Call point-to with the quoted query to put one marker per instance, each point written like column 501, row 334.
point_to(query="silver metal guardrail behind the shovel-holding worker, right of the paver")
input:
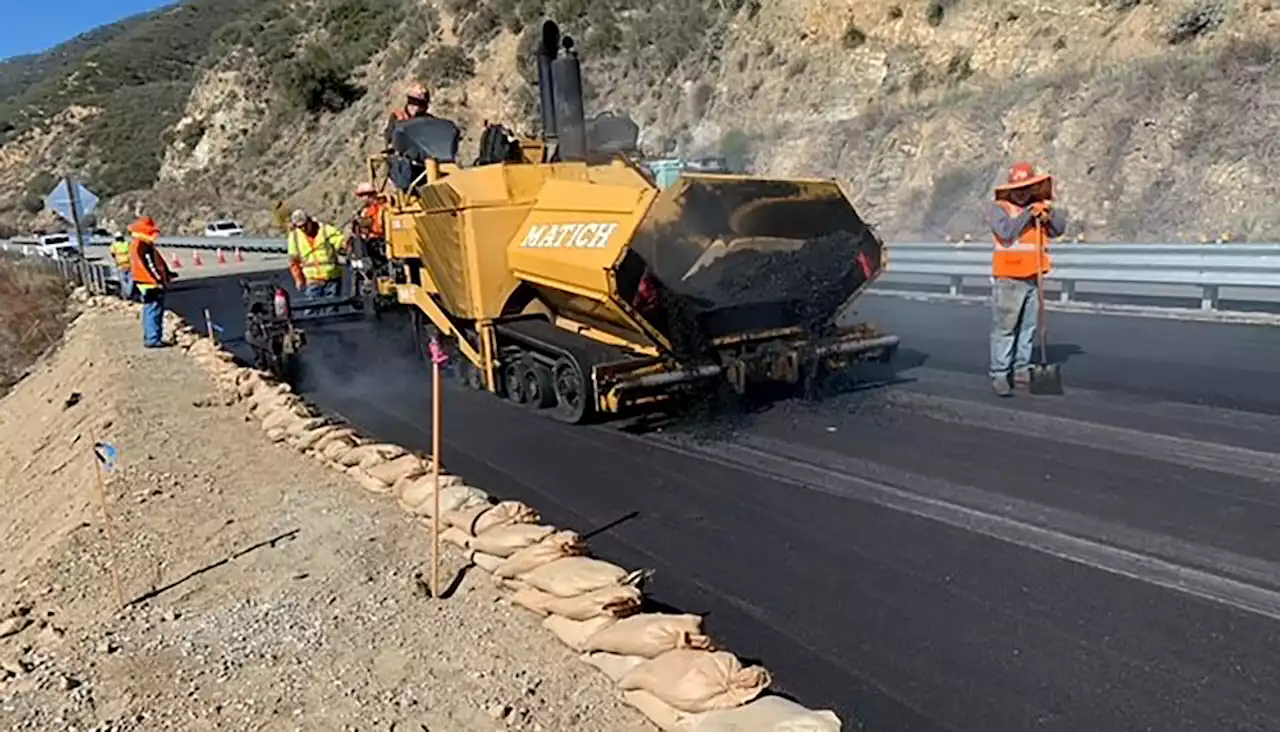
column 1210, row 268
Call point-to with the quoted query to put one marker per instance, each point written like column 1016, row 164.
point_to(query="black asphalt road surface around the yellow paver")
column 913, row 552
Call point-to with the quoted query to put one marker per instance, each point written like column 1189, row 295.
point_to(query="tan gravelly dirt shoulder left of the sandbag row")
column 266, row 593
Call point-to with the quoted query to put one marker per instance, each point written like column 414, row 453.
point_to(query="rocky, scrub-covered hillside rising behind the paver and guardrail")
column 1155, row 115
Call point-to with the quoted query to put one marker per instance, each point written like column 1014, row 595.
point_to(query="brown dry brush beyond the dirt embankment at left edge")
column 33, row 306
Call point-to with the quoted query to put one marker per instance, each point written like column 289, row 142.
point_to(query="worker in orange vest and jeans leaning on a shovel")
column 1023, row 219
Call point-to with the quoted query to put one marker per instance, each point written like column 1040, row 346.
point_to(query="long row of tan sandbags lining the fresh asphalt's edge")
column 665, row 666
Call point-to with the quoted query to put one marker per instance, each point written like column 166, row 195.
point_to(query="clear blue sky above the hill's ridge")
column 33, row 26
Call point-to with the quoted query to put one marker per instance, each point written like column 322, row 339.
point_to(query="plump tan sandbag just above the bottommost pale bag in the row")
column 698, row 680
